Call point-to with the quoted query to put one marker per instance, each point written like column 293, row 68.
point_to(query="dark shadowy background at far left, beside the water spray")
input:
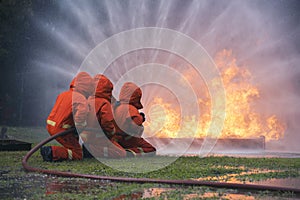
column 22, row 88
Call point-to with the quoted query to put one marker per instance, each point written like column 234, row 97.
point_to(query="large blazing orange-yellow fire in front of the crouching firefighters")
column 241, row 121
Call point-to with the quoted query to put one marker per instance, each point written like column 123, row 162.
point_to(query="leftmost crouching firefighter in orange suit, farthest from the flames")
column 70, row 110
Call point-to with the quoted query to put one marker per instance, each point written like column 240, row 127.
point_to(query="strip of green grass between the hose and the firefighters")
column 182, row 168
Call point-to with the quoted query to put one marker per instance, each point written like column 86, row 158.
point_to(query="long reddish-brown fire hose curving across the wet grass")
column 145, row 180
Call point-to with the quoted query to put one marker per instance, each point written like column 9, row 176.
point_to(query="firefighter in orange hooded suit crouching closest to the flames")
column 129, row 121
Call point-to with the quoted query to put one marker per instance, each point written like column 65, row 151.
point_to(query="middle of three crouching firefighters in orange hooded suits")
column 100, row 122
